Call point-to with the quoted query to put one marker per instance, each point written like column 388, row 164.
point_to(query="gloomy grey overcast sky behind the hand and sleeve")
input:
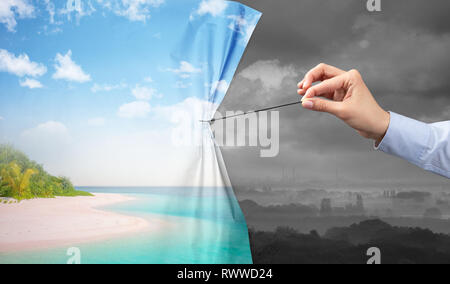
column 402, row 53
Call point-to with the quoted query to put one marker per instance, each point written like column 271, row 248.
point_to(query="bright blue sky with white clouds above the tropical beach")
column 92, row 88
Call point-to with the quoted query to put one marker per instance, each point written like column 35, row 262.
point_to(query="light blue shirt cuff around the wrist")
column 406, row 138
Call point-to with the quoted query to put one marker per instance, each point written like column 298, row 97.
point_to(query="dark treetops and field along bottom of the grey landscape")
column 349, row 245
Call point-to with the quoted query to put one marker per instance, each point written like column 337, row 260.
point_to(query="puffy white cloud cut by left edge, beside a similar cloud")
column 20, row 65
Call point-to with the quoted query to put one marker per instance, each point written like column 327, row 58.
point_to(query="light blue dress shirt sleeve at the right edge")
column 424, row 145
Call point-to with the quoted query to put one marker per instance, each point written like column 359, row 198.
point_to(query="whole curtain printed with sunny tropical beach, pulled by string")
column 101, row 148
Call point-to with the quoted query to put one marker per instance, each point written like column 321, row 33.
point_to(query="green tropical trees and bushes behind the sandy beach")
column 21, row 178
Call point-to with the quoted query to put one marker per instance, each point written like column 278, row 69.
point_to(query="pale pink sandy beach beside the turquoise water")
column 43, row 223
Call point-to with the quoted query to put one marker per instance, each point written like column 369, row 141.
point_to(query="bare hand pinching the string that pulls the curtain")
column 345, row 95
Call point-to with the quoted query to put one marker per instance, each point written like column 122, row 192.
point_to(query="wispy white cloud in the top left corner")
column 10, row 9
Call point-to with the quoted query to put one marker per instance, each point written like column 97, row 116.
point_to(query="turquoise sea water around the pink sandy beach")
column 206, row 225
